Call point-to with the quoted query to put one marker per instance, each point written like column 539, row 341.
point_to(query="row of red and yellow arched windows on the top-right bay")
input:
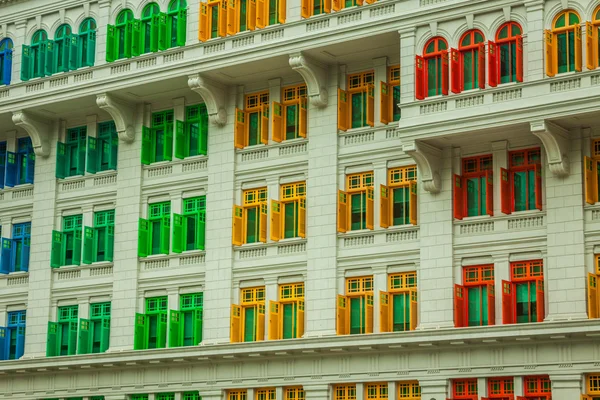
column 440, row 69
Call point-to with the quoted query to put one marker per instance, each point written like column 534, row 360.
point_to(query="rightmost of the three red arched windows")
column 505, row 56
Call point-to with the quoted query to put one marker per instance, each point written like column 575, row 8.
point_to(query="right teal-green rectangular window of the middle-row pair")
column 98, row 242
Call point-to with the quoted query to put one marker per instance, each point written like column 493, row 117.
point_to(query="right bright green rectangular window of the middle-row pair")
column 189, row 228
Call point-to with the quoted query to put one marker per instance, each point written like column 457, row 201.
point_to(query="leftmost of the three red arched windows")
column 431, row 70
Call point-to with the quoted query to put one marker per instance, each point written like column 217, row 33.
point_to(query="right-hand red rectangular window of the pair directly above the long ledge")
column 523, row 297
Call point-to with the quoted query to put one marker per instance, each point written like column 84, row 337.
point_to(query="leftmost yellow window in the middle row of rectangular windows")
column 250, row 220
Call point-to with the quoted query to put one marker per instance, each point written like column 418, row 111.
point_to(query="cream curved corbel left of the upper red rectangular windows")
column 428, row 159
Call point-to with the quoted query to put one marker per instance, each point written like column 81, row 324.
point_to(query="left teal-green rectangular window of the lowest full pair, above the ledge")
column 62, row 335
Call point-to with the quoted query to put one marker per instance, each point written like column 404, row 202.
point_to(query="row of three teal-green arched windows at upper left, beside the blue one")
column 68, row 51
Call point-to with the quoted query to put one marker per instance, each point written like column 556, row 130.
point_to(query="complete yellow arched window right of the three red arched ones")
column 563, row 44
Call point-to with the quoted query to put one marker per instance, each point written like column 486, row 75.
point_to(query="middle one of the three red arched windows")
column 470, row 73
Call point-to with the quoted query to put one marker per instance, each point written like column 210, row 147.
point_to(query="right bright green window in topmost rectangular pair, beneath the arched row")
column 191, row 136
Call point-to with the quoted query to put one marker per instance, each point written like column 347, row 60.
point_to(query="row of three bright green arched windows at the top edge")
column 154, row 31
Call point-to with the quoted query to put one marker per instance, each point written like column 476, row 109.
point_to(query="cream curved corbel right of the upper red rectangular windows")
column 556, row 142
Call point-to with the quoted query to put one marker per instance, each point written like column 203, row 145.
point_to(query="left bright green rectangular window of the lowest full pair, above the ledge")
column 151, row 327
